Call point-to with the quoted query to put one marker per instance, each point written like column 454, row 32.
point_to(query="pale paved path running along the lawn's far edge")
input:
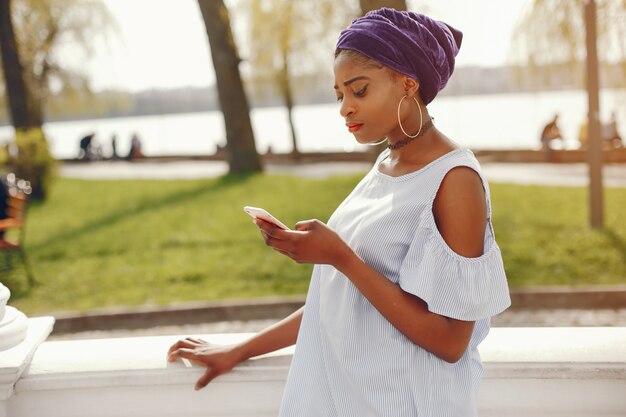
column 519, row 173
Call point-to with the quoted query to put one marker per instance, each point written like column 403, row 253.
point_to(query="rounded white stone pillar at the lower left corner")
column 19, row 338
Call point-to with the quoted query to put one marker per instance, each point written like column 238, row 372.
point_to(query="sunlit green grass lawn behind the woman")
column 108, row 243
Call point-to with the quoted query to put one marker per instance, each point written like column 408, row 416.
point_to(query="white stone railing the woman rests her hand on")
column 539, row 372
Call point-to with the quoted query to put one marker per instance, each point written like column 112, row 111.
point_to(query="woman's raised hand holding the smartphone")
column 311, row 242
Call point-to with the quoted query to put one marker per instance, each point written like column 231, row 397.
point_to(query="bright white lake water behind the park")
column 504, row 121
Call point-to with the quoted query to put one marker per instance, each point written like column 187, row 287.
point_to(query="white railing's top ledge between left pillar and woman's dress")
column 136, row 362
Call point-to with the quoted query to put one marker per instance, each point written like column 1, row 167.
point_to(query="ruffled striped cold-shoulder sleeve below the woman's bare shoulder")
column 452, row 285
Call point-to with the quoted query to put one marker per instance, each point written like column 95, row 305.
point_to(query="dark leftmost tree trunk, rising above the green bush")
column 23, row 109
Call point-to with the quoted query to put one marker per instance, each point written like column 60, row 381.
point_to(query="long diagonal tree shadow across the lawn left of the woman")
column 146, row 206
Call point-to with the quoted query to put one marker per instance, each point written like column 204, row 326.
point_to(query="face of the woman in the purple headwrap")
column 369, row 98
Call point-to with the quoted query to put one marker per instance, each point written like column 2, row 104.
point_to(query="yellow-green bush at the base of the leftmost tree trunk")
column 31, row 160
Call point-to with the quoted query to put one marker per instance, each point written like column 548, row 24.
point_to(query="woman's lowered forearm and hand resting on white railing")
column 221, row 359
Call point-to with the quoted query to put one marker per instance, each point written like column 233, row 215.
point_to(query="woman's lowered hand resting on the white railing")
column 217, row 359
